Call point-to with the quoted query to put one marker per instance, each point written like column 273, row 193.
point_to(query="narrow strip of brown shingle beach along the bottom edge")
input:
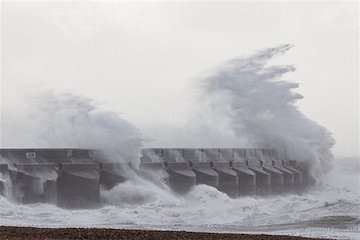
column 28, row 233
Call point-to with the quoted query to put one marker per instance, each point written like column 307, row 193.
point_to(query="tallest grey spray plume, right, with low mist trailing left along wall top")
column 246, row 102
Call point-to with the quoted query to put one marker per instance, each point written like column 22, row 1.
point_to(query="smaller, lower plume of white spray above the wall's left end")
column 69, row 121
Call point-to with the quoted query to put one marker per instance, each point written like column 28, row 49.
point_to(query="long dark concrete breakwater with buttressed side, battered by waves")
column 72, row 178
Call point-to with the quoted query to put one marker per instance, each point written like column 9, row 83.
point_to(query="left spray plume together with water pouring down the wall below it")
column 70, row 121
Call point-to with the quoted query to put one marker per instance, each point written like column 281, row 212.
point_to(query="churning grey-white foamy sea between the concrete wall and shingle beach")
column 329, row 209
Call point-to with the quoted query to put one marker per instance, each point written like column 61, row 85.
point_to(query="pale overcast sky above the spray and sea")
column 144, row 59
